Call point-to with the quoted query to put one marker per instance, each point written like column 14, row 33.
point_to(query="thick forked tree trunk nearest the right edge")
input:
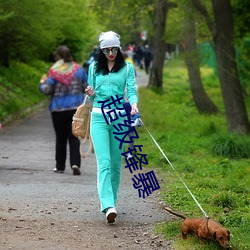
column 223, row 38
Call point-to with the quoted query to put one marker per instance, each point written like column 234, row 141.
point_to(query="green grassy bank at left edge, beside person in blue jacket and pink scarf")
column 19, row 88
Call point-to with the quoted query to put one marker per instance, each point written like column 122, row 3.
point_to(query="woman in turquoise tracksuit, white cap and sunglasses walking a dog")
column 108, row 76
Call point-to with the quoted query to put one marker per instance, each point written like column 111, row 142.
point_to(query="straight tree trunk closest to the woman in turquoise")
column 159, row 47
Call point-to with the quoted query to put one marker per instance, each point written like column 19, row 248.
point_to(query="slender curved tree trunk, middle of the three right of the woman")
column 201, row 99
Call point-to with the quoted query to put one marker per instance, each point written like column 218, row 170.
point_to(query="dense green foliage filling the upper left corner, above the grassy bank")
column 29, row 33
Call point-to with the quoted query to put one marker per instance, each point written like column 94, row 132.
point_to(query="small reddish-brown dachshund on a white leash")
column 204, row 229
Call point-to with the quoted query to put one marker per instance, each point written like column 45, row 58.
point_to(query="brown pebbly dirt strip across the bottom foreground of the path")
column 51, row 234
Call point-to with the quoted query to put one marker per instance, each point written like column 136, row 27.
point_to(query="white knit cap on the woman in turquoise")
column 109, row 39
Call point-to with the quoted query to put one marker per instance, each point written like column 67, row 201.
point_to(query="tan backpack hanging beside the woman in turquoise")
column 81, row 126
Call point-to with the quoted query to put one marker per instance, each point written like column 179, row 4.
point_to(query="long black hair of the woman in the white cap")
column 102, row 66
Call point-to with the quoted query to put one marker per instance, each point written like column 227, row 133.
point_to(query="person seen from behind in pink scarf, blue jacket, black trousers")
column 65, row 84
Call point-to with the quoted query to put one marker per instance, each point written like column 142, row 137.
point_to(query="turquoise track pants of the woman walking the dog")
column 109, row 159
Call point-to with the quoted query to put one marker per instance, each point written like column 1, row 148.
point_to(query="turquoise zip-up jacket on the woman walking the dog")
column 112, row 84
